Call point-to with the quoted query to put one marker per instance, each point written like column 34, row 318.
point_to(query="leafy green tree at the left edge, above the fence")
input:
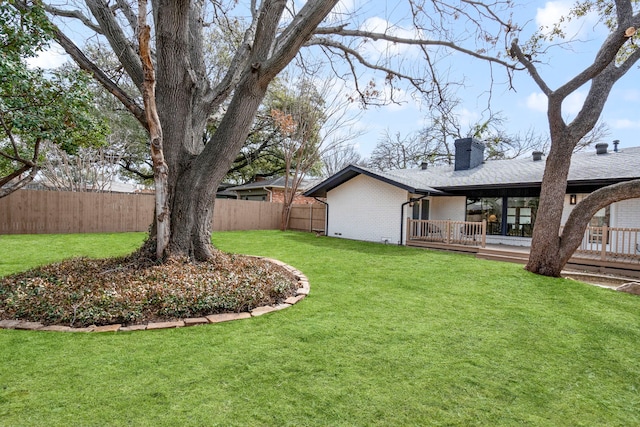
column 36, row 108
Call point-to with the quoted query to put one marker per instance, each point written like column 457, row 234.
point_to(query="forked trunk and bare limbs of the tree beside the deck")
column 549, row 250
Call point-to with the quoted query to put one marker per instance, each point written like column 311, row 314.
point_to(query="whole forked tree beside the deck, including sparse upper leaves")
column 618, row 54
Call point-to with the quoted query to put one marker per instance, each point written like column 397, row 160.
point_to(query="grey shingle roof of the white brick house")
column 587, row 168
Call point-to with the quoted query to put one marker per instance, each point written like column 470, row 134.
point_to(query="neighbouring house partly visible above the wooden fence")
column 271, row 190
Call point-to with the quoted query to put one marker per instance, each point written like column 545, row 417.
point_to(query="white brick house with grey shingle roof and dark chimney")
column 364, row 204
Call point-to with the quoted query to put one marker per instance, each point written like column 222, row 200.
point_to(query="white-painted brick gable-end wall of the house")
column 366, row 209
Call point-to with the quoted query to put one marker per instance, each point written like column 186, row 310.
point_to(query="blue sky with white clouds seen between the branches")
column 523, row 107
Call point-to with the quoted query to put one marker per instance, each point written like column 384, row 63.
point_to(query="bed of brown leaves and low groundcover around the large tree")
column 82, row 292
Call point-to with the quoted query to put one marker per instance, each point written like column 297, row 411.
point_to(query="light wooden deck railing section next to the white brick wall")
column 448, row 232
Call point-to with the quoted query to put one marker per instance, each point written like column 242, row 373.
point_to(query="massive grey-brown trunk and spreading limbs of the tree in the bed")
column 185, row 99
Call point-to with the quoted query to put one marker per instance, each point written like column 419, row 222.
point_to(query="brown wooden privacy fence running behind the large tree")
column 48, row 212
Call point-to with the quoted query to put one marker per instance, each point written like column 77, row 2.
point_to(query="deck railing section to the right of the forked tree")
column 611, row 242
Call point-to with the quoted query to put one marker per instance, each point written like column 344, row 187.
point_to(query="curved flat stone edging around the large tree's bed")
column 302, row 291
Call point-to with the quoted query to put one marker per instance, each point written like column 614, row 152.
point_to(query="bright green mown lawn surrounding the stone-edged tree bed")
column 388, row 336
